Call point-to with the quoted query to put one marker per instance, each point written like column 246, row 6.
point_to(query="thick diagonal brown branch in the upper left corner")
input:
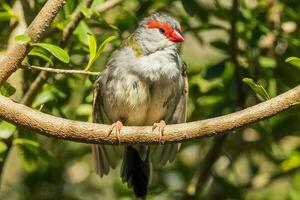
column 17, row 53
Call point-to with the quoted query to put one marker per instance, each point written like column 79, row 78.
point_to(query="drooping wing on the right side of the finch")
column 167, row 152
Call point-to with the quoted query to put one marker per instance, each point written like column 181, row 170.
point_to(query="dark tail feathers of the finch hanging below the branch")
column 135, row 171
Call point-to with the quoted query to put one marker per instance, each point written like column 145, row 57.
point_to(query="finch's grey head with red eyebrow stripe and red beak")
column 157, row 32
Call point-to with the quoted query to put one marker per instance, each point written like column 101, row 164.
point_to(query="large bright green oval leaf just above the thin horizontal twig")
column 58, row 52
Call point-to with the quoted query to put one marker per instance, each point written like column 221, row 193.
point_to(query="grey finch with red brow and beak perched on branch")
column 144, row 84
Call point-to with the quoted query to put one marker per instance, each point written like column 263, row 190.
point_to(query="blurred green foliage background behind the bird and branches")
column 226, row 41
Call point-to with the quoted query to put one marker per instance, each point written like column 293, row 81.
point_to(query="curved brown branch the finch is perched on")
column 51, row 126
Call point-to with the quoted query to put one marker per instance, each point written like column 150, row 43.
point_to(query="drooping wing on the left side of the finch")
column 105, row 156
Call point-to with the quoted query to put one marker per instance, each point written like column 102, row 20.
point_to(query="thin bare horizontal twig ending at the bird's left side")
column 61, row 71
